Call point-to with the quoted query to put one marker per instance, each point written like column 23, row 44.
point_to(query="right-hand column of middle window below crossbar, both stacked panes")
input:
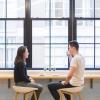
column 59, row 41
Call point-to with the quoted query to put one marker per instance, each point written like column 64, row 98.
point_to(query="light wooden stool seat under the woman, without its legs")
column 21, row 89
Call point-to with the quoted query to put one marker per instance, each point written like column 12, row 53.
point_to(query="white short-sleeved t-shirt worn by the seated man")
column 78, row 77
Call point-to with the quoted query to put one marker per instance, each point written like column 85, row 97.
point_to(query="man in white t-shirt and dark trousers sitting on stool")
column 75, row 75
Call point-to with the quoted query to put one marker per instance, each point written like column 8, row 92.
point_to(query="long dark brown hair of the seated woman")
column 20, row 52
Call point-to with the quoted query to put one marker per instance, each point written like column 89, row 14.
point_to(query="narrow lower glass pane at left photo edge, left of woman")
column 2, row 56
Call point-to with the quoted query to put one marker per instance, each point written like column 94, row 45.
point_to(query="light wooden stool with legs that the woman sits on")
column 25, row 91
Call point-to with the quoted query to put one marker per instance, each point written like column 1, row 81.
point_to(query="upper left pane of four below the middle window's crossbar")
column 40, row 31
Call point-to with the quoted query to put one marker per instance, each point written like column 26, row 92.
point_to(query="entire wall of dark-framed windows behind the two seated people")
column 46, row 27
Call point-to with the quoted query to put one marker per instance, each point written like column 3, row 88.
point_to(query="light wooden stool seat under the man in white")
column 72, row 90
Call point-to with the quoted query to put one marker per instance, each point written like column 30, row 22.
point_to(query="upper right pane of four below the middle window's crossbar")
column 59, row 31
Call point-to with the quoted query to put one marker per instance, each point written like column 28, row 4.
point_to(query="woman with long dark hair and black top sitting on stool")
column 20, row 72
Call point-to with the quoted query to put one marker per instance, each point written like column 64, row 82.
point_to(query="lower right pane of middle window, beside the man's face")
column 59, row 58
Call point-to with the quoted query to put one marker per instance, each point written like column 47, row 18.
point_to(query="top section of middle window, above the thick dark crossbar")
column 49, row 8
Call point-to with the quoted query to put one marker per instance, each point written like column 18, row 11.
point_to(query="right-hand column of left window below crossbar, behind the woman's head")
column 14, row 38
